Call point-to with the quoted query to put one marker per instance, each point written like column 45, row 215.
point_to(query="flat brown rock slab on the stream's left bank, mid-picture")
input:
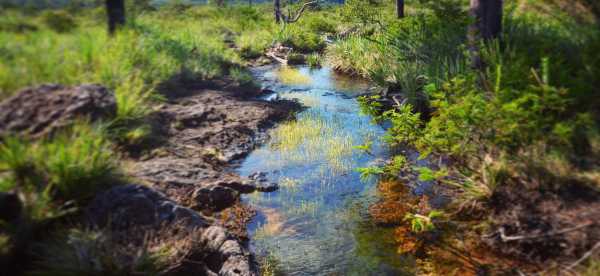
column 207, row 131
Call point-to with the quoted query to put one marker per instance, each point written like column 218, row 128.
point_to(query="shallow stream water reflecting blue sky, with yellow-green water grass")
column 317, row 222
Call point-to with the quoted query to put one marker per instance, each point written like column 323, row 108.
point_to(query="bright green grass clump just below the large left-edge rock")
column 73, row 165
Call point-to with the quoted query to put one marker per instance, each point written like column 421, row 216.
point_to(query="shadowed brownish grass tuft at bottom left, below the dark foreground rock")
column 78, row 251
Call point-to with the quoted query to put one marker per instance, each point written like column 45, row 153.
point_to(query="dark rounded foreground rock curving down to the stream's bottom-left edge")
column 139, row 207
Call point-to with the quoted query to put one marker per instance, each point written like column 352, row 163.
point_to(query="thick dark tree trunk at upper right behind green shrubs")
column 487, row 26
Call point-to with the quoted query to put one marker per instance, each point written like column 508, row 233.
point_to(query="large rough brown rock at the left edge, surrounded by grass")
column 41, row 110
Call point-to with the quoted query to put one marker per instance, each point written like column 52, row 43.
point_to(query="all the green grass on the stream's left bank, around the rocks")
column 141, row 63
